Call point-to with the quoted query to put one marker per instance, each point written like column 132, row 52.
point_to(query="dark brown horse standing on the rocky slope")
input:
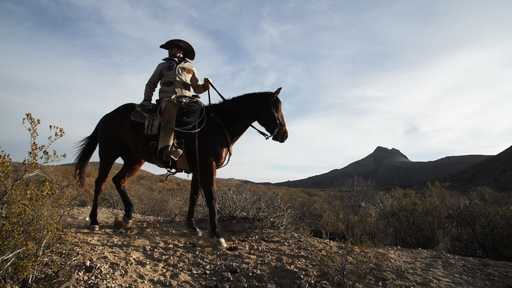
column 119, row 136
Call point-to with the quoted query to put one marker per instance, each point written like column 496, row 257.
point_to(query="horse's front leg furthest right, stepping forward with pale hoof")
column 210, row 195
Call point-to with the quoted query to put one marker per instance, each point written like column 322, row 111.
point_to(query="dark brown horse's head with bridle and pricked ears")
column 272, row 118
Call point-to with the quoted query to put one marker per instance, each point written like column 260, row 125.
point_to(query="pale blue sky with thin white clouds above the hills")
column 430, row 78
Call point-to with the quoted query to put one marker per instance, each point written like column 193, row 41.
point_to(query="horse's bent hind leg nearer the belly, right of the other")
column 130, row 167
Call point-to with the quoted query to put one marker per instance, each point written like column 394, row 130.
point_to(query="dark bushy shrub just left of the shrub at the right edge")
column 415, row 220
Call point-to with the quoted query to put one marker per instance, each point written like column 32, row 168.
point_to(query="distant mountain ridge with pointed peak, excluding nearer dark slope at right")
column 391, row 168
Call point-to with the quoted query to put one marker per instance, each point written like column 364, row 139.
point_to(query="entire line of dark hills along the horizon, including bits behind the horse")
column 390, row 168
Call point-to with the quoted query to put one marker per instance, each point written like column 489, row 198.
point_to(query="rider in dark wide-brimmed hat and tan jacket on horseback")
column 176, row 76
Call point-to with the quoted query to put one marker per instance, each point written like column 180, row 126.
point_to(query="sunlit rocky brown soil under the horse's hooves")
column 161, row 253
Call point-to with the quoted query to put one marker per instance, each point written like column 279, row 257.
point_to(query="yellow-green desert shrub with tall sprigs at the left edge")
column 32, row 205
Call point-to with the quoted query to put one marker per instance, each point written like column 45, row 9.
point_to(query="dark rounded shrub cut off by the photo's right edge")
column 482, row 226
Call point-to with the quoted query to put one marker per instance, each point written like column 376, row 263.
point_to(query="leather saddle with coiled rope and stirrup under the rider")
column 190, row 118
